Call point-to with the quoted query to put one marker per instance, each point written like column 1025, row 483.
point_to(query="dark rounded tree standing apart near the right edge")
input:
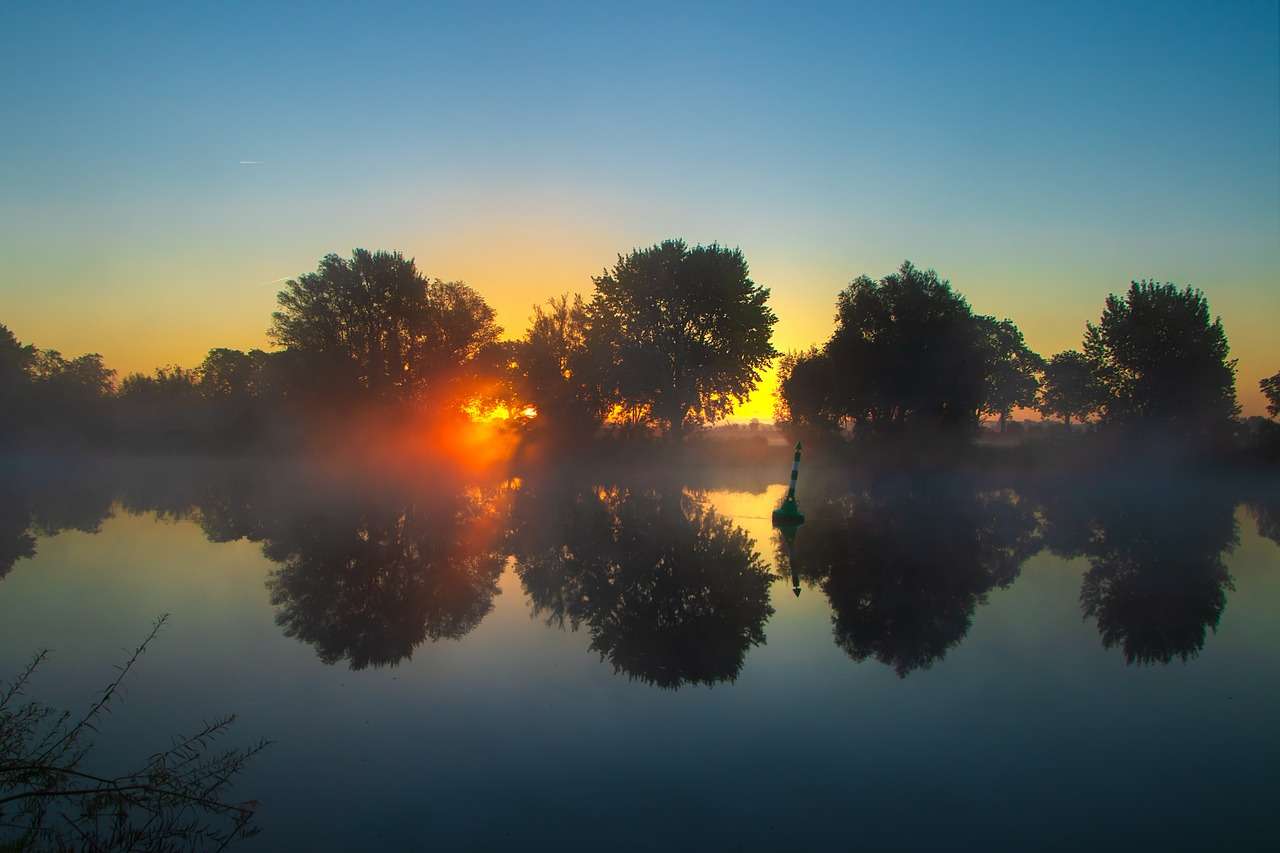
column 1162, row 361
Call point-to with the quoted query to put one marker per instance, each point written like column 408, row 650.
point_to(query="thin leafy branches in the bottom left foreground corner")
column 173, row 801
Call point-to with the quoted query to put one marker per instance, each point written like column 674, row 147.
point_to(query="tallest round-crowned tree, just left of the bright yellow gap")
column 683, row 334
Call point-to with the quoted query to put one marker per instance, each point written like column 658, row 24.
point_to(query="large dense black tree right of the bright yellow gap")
column 908, row 352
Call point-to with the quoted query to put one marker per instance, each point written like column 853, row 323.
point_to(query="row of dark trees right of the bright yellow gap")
column 909, row 354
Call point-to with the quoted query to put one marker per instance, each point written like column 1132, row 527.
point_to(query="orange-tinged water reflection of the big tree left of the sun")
column 367, row 572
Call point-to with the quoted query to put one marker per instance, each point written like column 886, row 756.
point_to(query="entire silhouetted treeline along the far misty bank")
column 671, row 339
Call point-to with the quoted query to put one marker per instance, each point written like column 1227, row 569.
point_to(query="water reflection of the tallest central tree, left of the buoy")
column 671, row 592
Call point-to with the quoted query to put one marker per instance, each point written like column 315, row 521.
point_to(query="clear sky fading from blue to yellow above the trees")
column 163, row 170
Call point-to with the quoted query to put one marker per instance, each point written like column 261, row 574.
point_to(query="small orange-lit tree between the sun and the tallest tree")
column 556, row 373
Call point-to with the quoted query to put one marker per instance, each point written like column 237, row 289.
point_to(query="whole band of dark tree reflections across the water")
column 669, row 591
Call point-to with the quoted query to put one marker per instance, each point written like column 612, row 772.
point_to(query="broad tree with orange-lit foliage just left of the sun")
column 386, row 329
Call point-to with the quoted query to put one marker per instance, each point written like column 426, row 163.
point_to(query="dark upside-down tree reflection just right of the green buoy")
column 907, row 564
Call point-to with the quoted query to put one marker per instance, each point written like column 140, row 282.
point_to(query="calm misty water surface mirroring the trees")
column 566, row 659
